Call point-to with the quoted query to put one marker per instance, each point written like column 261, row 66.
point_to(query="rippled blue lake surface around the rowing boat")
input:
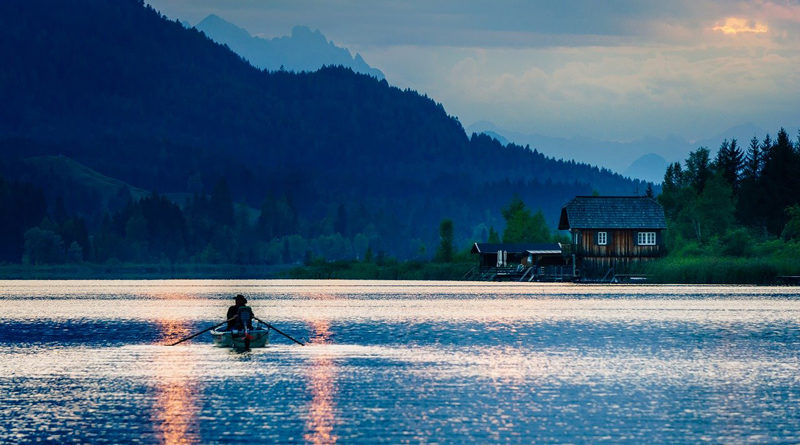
column 400, row 362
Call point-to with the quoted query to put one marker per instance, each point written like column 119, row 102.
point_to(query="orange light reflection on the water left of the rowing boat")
column 174, row 412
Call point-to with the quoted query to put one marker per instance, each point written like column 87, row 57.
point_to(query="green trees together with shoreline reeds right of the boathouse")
column 733, row 217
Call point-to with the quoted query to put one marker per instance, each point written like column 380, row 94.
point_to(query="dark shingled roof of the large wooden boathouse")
column 612, row 212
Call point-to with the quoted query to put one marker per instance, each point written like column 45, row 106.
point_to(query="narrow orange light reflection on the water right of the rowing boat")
column 322, row 383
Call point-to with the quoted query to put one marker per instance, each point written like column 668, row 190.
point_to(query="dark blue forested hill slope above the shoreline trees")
column 118, row 88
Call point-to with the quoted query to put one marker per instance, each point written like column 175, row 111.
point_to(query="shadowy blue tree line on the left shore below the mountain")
column 206, row 229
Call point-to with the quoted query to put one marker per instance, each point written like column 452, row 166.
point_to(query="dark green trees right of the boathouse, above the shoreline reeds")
column 730, row 201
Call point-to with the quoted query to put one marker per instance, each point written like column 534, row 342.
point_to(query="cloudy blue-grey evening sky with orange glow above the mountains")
column 609, row 70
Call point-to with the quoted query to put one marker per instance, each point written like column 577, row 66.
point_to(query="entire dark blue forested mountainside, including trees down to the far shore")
column 134, row 129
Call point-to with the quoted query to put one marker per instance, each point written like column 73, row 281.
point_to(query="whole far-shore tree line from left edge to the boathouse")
column 213, row 229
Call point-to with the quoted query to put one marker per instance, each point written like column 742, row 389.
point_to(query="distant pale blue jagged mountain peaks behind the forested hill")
column 303, row 50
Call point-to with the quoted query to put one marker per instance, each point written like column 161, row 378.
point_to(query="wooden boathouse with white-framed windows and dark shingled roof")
column 610, row 234
